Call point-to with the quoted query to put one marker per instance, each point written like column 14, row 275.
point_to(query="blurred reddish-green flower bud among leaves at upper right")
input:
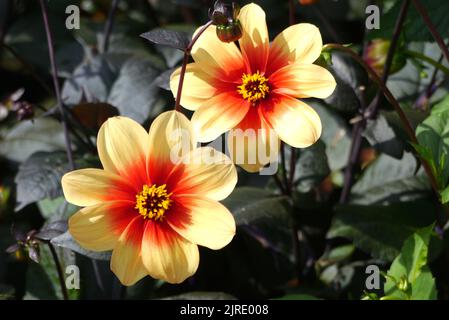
column 376, row 56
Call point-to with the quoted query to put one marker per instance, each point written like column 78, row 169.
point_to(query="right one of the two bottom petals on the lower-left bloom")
column 166, row 255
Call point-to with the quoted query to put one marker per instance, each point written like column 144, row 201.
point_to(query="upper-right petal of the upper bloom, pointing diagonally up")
column 300, row 43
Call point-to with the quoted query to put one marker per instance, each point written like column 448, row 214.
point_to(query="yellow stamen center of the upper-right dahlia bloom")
column 254, row 87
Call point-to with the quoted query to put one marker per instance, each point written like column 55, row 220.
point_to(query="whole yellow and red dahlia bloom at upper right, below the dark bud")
column 256, row 85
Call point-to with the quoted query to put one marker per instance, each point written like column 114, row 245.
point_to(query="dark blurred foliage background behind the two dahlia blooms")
column 332, row 241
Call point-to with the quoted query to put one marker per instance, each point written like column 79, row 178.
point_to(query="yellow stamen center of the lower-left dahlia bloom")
column 152, row 202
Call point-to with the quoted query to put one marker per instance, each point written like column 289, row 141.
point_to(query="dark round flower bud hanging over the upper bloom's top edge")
column 225, row 17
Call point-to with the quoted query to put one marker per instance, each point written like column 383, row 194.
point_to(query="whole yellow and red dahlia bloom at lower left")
column 154, row 201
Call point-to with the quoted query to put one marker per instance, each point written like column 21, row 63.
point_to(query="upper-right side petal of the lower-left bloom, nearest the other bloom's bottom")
column 207, row 172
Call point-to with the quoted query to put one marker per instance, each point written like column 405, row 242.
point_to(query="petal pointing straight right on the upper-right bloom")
column 303, row 81
